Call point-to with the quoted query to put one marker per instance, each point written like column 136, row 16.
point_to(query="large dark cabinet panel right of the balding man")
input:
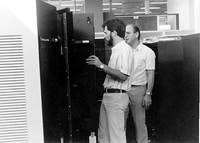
column 178, row 90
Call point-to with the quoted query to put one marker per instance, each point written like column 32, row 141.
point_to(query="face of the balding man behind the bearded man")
column 130, row 35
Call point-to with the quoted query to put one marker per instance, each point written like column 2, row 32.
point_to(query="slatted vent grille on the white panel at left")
column 13, row 113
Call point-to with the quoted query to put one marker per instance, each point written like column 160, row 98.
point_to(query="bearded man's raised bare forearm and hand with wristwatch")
column 94, row 60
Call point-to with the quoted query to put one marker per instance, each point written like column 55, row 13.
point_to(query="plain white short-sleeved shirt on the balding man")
column 143, row 59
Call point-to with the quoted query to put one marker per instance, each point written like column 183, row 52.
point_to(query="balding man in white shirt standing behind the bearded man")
column 141, row 81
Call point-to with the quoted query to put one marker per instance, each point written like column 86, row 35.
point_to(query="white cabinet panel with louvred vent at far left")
column 20, row 96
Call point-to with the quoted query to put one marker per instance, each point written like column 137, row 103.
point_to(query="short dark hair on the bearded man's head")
column 115, row 25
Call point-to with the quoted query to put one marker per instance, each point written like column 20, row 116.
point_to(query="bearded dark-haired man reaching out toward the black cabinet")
column 115, row 99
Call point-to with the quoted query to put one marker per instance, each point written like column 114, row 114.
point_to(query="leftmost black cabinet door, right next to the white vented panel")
column 52, row 72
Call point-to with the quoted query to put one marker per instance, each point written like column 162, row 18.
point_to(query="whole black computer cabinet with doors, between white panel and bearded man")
column 67, row 82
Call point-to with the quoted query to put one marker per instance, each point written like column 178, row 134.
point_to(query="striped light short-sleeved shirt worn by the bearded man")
column 120, row 59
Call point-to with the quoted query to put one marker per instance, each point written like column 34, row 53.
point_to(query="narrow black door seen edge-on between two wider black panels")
column 65, row 30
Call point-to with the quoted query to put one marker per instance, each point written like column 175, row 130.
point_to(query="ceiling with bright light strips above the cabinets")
column 119, row 7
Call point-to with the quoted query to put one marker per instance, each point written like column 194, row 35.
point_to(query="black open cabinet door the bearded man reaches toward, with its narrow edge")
column 77, row 34
